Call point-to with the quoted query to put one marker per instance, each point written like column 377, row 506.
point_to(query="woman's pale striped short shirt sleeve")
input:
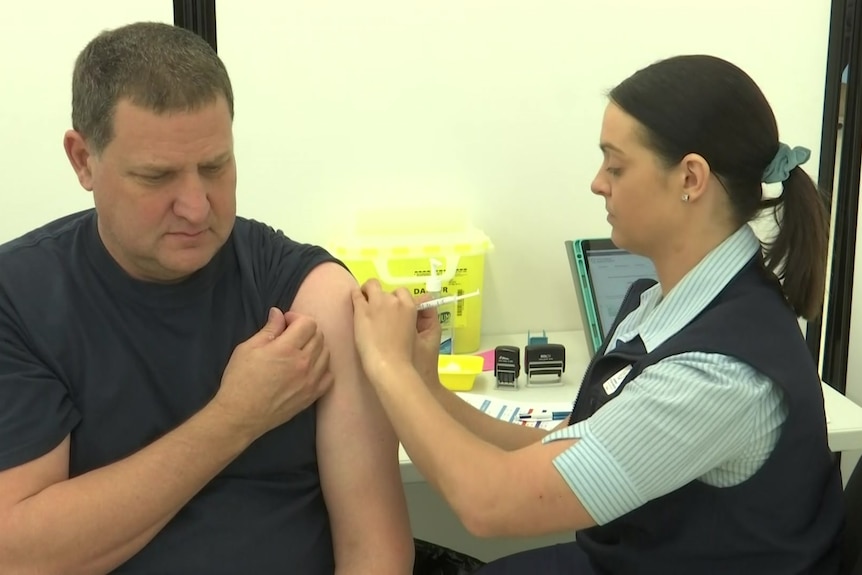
column 692, row 416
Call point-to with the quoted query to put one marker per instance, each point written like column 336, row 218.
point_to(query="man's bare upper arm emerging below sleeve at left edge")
column 26, row 480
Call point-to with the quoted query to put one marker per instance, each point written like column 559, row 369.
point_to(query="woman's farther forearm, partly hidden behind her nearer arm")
column 495, row 431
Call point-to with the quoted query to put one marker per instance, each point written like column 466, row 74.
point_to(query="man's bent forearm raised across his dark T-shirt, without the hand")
column 97, row 521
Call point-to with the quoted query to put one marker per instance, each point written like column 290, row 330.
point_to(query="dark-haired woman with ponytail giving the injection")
column 698, row 440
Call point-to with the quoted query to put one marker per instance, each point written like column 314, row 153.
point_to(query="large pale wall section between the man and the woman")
column 493, row 106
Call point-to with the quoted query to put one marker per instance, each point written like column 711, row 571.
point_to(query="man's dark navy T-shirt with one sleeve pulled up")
column 86, row 350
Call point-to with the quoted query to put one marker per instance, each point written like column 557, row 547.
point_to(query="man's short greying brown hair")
column 154, row 65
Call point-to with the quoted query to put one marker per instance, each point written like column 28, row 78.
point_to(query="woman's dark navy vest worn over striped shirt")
column 785, row 519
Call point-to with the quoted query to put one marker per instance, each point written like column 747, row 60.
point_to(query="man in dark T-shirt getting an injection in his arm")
column 179, row 387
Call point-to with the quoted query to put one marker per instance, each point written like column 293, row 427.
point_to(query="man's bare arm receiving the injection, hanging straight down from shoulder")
column 357, row 448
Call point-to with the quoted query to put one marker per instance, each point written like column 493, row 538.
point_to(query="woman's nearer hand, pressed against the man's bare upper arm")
column 384, row 327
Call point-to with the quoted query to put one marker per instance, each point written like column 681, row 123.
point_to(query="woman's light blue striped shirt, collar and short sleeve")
column 693, row 416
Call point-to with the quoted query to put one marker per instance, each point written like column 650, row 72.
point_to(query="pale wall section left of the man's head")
column 39, row 42
